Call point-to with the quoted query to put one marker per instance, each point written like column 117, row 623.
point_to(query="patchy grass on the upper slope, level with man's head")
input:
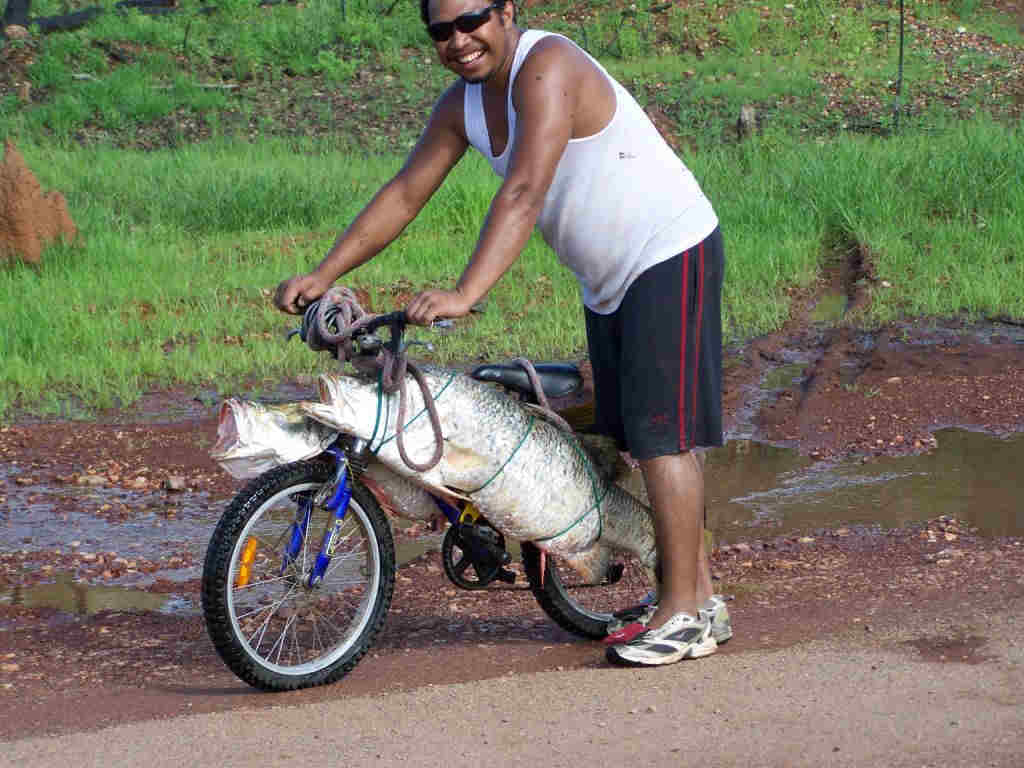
column 711, row 57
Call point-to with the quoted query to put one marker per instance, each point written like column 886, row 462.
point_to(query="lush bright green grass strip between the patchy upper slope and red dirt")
column 180, row 251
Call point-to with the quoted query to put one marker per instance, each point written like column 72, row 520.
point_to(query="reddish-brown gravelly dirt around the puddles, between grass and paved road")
column 61, row 672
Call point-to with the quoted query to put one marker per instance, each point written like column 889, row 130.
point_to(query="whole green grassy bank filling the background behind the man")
column 193, row 202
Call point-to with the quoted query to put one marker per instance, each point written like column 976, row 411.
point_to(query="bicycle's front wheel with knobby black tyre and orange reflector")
column 270, row 627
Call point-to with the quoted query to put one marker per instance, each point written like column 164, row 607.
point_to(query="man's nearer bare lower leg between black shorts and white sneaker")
column 675, row 487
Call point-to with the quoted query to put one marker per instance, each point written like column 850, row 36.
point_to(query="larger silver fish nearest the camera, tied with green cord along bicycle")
column 532, row 481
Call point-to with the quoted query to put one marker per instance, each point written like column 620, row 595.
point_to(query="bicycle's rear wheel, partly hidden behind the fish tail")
column 585, row 610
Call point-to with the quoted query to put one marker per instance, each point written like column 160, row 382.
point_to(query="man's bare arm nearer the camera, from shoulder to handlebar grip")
column 545, row 102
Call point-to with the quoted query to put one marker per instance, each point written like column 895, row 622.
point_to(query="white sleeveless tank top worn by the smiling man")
column 621, row 201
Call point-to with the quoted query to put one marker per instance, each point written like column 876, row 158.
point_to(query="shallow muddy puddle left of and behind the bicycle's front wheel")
column 91, row 526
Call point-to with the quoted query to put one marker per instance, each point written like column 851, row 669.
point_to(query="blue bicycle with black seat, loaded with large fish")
column 301, row 570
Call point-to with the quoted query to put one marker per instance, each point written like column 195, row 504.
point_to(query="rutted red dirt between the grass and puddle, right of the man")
column 902, row 391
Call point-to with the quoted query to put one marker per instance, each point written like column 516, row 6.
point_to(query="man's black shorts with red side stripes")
column 658, row 359
